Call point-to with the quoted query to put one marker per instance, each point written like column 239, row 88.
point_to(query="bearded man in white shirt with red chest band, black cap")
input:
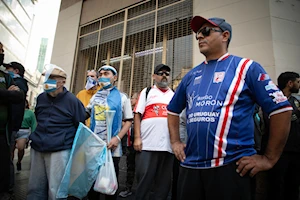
column 154, row 158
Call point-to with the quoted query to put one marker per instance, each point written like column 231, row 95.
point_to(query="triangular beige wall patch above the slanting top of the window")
column 93, row 9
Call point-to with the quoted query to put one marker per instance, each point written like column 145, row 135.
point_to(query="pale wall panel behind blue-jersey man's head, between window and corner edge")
column 251, row 24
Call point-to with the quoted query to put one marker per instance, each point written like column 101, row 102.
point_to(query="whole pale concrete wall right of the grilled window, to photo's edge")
column 263, row 30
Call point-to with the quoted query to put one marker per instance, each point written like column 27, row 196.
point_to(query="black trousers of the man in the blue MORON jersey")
column 211, row 184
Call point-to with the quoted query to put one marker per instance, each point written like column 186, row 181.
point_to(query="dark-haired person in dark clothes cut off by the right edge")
column 284, row 177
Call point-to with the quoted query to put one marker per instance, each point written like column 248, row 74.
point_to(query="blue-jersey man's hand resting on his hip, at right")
column 253, row 164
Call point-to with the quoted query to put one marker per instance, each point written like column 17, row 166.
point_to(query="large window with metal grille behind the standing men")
column 171, row 45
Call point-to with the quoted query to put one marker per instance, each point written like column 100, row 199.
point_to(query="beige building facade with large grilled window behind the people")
column 134, row 36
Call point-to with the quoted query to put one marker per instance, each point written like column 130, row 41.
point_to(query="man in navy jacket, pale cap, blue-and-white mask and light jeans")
column 58, row 113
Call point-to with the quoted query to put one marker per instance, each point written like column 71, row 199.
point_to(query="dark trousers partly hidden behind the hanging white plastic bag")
column 93, row 195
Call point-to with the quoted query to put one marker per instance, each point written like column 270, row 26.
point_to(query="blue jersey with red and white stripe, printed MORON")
column 219, row 97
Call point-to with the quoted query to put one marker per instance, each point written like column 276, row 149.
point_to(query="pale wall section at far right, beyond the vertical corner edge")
column 285, row 21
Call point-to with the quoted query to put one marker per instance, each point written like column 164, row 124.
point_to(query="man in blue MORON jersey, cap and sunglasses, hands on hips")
column 219, row 95
